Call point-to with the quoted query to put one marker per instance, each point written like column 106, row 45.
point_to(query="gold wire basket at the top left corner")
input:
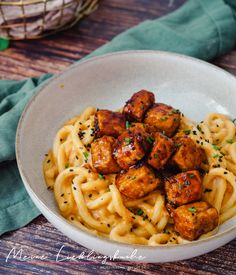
column 31, row 19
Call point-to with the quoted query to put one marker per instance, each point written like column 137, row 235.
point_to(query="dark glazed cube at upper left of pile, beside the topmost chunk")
column 109, row 123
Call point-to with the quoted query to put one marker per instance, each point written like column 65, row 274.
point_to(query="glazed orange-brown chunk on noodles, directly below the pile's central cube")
column 137, row 182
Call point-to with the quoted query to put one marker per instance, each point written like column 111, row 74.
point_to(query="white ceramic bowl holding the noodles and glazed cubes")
column 195, row 87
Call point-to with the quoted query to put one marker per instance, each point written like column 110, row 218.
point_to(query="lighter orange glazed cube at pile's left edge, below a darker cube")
column 102, row 158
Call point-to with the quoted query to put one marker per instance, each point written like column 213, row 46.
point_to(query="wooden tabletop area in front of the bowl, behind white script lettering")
column 41, row 238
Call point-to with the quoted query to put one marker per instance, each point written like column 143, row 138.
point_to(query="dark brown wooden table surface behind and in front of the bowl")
column 52, row 55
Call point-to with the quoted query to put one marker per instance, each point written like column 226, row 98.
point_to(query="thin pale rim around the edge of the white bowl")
column 86, row 60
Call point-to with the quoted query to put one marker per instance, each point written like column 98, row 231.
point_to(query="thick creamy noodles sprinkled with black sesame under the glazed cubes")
column 93, row 203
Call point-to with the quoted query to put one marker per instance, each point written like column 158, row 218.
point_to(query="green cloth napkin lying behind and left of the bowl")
column 200, row 28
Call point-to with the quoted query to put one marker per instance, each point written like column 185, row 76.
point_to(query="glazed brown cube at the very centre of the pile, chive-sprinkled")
column 131, row 146
